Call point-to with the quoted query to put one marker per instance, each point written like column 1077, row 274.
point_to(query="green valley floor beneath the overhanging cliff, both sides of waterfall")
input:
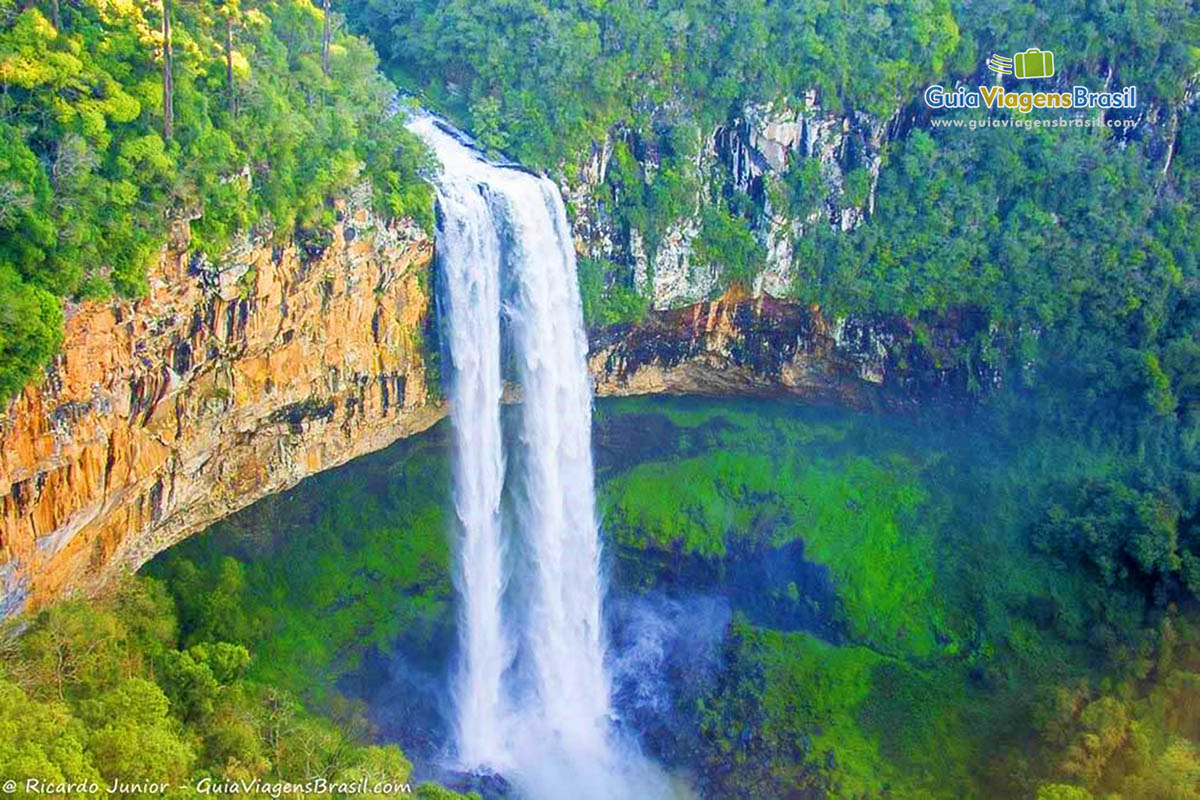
column 902, row 622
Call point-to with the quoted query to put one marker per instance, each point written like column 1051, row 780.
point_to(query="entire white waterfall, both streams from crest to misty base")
column 532, row 703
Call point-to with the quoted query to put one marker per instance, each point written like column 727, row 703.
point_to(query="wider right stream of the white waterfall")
column 557, row 513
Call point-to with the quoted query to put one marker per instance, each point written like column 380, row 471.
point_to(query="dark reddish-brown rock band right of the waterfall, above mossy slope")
column 770, row 348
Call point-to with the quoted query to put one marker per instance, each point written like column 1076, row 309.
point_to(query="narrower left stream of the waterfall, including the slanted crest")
column 470, row 257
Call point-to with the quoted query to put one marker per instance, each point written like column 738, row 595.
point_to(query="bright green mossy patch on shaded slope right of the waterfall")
column 850, row 513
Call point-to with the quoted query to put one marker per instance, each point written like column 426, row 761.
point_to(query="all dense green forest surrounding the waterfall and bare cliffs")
column 1041, row 630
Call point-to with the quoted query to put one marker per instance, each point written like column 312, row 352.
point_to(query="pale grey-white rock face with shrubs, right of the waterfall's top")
column 751, row 155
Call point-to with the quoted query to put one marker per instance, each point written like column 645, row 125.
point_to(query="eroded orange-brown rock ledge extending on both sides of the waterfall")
column 233, row 382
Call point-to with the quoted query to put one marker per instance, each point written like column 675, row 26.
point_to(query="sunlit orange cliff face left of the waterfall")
column 225, row 384
